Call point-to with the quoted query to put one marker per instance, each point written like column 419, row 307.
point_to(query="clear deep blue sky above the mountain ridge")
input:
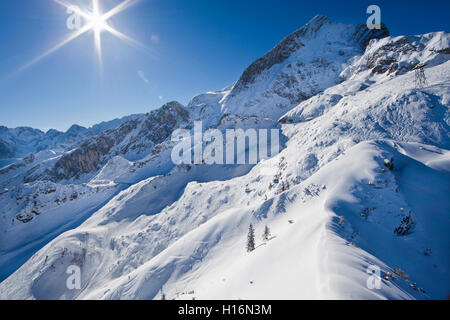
column 203, row 45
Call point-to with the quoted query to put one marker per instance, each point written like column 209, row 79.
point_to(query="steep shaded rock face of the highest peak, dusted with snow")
column 302, row 65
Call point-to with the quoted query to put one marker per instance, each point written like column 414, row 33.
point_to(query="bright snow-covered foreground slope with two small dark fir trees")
column 342, row 222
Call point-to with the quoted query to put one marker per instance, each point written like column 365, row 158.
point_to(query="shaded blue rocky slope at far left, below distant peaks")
column 49, row 192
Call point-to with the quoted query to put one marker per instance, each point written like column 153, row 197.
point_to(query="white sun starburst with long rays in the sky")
column 97, row 22
